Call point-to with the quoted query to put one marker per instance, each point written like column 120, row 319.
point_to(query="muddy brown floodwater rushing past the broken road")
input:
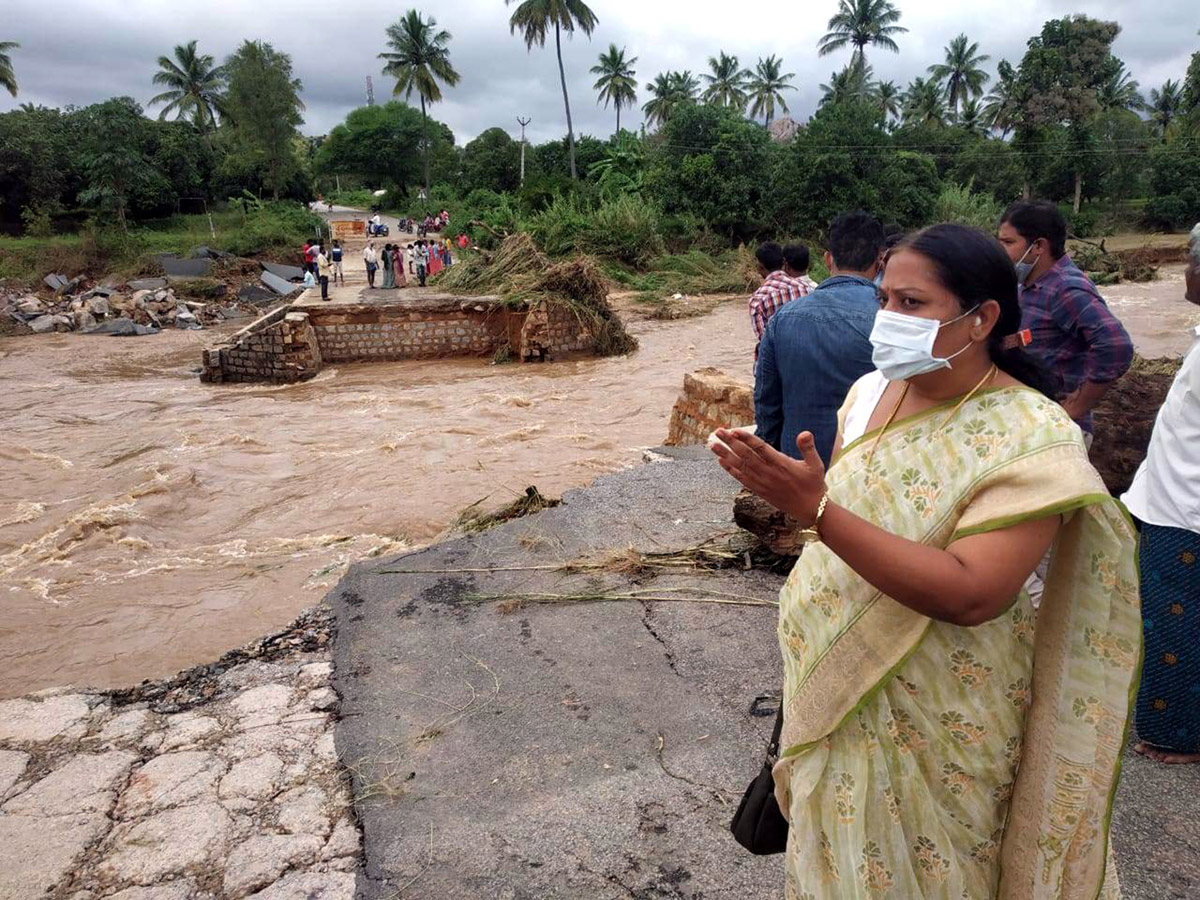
column 149, row 523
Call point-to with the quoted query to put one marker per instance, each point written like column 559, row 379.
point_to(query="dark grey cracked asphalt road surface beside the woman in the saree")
column 598, row 749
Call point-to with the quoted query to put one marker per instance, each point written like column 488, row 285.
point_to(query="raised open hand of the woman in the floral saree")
column 793, row 487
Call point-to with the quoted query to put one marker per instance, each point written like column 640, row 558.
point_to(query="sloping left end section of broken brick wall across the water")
column 281, row 347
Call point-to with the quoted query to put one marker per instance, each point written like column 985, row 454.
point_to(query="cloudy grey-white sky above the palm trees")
column 79, row 52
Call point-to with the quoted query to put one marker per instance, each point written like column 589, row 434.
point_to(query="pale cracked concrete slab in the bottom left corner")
column 219, row 784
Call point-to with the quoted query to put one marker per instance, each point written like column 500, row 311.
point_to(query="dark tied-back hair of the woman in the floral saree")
column 974, row 267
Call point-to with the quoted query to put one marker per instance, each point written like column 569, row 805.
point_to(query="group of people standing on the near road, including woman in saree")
column 926, row 416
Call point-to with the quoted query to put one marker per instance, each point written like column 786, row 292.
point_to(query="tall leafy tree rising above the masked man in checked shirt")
column 1059, row 82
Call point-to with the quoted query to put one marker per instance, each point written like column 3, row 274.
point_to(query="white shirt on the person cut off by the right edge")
column 1167, row 489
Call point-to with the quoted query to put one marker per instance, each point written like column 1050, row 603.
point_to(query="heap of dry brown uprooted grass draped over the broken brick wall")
column 523, row 277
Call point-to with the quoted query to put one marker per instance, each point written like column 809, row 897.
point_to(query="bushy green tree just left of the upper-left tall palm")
column 113, row 161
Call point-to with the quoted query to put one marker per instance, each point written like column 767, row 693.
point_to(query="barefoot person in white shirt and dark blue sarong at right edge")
column 1166, row 500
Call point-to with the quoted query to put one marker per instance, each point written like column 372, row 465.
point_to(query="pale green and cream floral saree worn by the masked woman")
column 926, row 760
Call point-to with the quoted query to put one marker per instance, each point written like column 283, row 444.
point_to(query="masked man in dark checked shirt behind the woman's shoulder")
column 1072, row 331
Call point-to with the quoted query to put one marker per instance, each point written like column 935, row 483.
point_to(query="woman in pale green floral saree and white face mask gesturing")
column 941, row 737
